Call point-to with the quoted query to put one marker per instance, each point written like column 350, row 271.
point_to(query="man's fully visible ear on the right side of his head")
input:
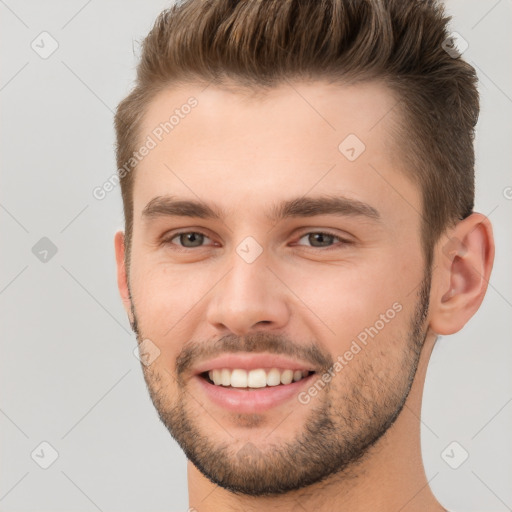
column 465, row 256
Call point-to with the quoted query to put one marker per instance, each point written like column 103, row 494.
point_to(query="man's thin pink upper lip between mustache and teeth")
column 251, row 362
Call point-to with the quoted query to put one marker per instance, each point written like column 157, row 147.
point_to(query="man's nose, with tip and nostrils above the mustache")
column 248, row 297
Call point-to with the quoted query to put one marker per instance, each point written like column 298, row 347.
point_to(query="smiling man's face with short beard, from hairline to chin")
column 251, row 290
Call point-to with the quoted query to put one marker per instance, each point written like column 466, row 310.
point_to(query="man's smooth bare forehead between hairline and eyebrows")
column 239, row 148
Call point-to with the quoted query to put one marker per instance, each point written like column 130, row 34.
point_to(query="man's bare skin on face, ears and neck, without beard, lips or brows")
column 246, row 154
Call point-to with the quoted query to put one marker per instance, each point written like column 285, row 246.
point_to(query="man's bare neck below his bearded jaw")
column 390, row 477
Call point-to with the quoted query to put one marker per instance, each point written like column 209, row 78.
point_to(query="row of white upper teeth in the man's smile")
column 258, row 378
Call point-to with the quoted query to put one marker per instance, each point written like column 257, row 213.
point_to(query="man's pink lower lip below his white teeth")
column 247, row 400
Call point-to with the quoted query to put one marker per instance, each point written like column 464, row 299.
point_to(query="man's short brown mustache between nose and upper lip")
column 256, row 342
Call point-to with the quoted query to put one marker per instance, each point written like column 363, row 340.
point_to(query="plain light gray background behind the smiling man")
column 68, row 374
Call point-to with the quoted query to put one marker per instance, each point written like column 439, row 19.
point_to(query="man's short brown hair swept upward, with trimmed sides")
column 262, row 43
